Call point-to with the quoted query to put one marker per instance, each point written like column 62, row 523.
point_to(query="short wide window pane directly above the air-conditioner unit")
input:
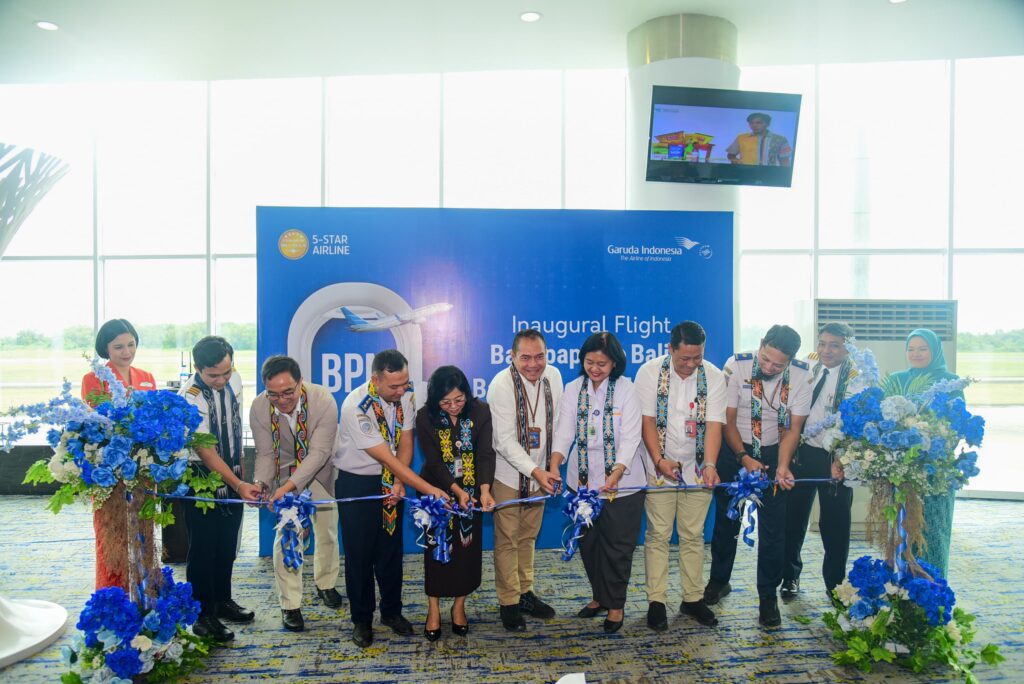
column 882, row 277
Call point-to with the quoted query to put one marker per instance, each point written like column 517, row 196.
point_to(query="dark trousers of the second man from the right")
column 772, row 526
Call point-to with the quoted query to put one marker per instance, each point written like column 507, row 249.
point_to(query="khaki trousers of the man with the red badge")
column 688, row 509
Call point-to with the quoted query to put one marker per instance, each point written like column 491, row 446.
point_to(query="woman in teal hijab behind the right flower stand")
column 927, row 367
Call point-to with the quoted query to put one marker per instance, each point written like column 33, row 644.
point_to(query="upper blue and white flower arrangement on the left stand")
column 138, row 440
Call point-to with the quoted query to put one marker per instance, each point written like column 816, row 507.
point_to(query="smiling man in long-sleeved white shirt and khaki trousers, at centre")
column 524, row 402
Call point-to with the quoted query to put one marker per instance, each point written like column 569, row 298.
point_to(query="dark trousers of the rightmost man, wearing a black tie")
column 836, row 502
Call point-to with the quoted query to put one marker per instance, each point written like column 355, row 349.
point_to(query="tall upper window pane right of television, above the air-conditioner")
column 884, row 156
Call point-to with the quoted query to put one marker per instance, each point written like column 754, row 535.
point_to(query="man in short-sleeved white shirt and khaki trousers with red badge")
column 684, row 400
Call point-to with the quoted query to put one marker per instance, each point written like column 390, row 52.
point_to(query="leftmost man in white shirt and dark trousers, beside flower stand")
column 214, row 536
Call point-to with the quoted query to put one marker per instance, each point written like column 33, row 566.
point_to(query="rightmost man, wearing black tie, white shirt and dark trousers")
column 831, row 377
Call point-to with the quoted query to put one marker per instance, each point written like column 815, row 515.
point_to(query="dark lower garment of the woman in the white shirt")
column 608, row 549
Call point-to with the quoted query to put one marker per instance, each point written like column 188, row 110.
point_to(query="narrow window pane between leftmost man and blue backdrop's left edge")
column 235, row 318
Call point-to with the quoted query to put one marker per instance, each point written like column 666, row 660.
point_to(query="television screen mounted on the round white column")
column 733, row 138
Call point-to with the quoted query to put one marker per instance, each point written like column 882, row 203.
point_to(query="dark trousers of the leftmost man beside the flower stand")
column 214, row 537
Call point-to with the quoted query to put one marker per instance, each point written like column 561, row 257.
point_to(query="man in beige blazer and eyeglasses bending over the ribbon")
column 294, row 425
